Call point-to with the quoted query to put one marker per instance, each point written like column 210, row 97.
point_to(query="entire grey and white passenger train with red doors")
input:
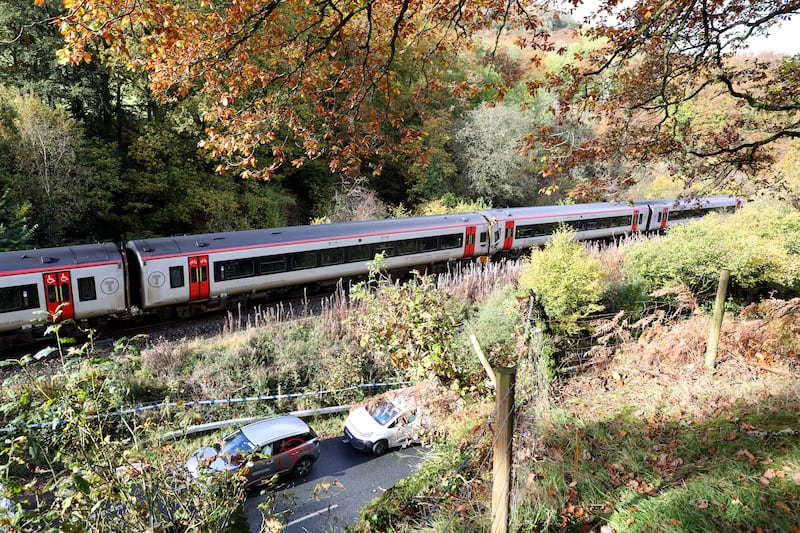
column 183, row 275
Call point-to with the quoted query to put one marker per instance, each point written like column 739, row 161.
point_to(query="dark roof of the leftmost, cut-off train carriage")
column 50, row 259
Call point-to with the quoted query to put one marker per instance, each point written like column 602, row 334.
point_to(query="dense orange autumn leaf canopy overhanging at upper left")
column 327, row 74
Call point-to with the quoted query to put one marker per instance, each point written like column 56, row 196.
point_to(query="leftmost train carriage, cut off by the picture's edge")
column 54, row 284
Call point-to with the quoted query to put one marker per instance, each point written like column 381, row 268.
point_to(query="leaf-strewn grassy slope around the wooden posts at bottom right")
column 639, row 443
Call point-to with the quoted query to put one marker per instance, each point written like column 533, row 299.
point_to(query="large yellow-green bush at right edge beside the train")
column 760, row 244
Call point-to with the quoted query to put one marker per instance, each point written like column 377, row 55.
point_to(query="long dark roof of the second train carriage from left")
column 181, row 245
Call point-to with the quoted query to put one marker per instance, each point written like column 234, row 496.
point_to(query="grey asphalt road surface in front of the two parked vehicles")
column 340, row 484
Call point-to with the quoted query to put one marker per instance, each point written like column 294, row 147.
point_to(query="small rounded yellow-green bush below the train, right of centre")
column 566, row 279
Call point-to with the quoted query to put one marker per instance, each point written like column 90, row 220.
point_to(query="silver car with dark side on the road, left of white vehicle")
column 279, row 445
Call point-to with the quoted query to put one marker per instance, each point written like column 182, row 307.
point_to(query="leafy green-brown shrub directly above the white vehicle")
column 412, row 324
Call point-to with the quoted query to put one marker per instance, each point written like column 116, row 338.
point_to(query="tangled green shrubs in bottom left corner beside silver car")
column 81, row 470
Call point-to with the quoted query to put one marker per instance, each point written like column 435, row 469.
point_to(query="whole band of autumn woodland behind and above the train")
column 170, row 118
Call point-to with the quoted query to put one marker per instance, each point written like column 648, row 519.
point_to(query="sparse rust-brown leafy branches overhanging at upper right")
column 663, row 62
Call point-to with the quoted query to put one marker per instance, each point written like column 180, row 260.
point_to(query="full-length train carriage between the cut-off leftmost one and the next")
column 214, row 267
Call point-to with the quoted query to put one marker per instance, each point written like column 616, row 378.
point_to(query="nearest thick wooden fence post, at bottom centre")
column 504, row 432
